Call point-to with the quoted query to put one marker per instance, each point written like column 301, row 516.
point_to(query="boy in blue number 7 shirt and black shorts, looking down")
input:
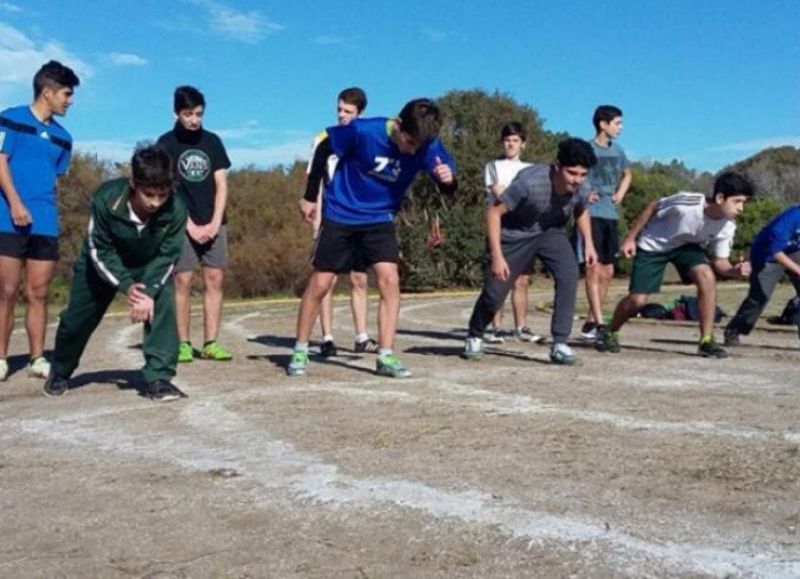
column 378, row 160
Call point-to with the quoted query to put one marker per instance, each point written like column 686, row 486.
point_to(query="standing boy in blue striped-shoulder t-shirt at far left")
column 34, row 151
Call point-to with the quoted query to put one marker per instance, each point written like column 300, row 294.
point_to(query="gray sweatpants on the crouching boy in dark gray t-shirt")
column 553, row 250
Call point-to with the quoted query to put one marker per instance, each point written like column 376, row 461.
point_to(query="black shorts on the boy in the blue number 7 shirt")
column 342, row 248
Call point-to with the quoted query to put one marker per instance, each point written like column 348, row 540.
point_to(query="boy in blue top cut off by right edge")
column 775, row 252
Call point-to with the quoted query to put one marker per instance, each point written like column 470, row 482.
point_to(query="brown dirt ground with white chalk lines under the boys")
column 649, row 463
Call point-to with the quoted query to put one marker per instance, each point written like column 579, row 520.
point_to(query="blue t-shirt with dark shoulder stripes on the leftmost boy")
column 37, row 155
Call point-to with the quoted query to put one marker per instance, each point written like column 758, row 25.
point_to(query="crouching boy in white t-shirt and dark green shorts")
column 681, row 229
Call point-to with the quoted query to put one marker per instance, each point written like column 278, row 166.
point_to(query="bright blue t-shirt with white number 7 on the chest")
column 372, row 176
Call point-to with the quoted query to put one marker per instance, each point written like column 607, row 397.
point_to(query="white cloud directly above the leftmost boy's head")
column 21, row 57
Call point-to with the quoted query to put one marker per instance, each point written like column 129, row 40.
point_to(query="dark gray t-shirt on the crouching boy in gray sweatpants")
column 533, row 206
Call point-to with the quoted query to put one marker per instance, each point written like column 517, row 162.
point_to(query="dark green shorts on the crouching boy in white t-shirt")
column 648, row 268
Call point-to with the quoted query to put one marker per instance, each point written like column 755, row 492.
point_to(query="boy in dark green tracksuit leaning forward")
column 135, row 236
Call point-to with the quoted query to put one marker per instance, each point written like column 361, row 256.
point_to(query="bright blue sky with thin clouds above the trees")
column 707, row 82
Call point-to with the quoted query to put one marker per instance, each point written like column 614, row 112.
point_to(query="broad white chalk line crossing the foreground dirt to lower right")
column 230, row 442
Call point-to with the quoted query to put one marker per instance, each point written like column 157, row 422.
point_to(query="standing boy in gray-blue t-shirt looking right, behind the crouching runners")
column 609, row 181
